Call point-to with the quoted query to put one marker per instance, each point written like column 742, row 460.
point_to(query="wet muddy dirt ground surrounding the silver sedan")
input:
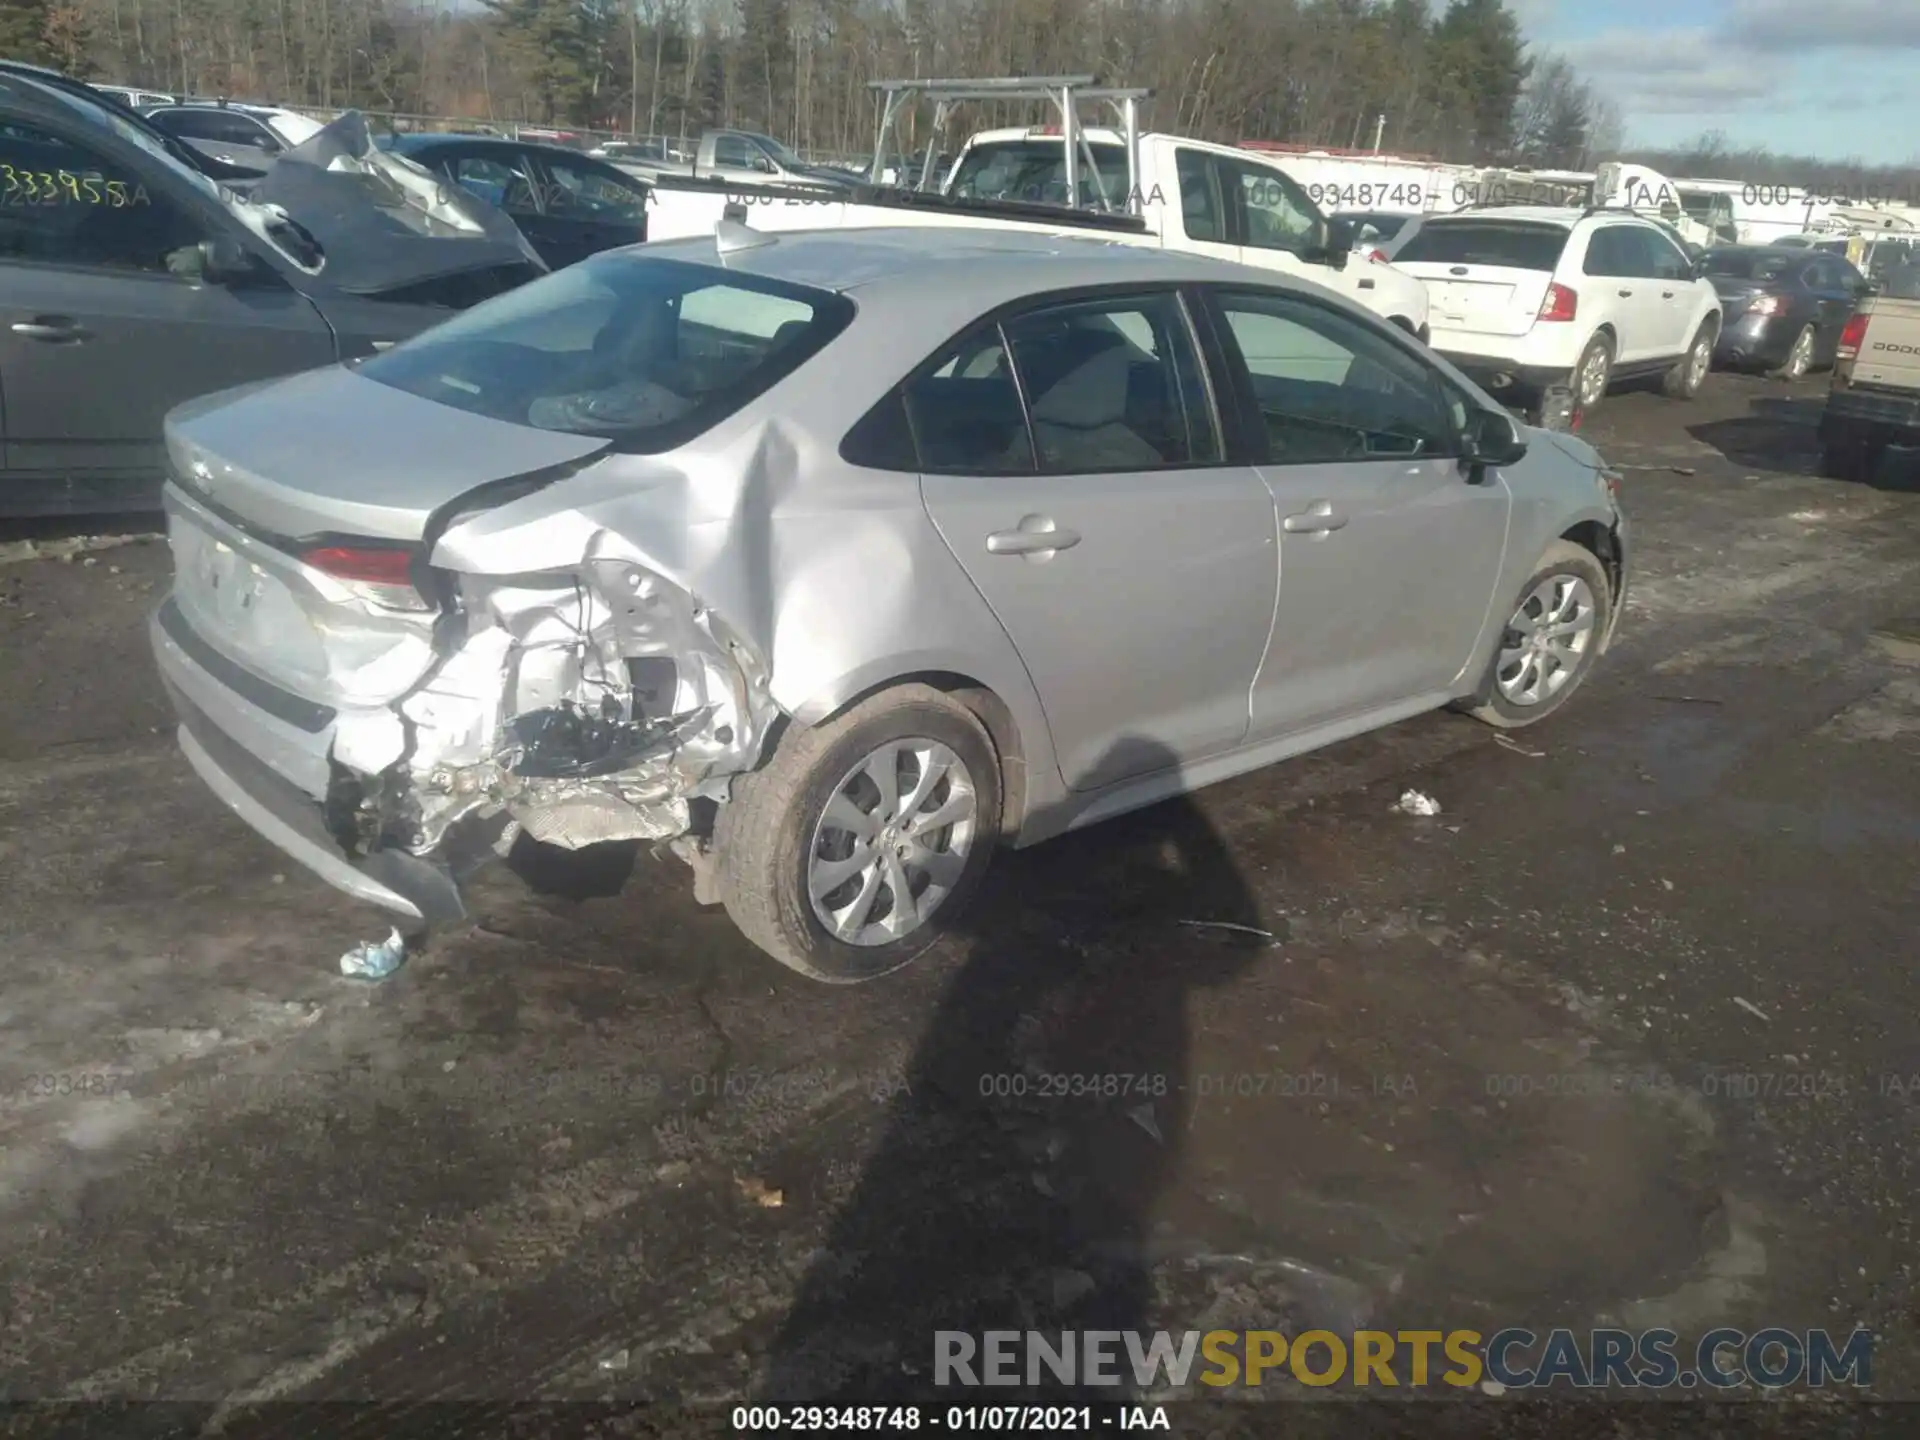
column 1625, row 1032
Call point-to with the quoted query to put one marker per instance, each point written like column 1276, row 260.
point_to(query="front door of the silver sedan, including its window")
column 1389, row 550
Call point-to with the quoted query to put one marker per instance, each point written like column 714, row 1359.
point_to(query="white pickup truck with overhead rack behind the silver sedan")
column 1176, row 195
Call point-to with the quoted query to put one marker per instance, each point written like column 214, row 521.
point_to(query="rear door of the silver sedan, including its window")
column 1128, row 564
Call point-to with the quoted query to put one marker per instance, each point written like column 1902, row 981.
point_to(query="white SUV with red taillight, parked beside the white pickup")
column 1525, row 299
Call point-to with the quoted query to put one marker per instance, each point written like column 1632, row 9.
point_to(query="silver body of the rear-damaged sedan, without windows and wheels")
column 1191, row 617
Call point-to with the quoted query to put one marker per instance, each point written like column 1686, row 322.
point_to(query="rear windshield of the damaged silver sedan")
column 631, row 348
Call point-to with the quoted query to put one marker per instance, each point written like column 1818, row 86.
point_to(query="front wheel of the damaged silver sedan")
column 1550, row 644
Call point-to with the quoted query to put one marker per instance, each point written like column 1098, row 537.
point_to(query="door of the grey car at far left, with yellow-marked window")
column 103, row 327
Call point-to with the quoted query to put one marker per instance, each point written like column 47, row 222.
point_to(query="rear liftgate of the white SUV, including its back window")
column 1485, row 276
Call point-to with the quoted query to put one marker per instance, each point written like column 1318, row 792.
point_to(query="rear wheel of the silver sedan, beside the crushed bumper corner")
column 863, row 840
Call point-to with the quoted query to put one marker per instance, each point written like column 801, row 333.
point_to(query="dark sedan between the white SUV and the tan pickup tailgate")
column 1783, row 308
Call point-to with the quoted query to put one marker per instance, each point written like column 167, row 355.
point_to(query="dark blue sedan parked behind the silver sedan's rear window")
column 567, row 204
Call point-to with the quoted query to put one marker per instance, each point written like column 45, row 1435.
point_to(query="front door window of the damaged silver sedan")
column 1330, row 389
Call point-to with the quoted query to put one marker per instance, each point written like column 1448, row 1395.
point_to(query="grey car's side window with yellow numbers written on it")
column 64, row 204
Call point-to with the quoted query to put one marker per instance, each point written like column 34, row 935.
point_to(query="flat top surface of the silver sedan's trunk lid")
column 335, row 454
